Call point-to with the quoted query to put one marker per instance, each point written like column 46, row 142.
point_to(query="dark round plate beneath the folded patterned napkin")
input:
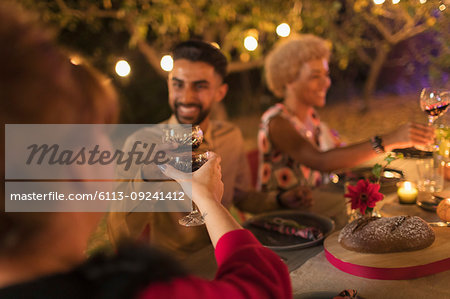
column 277, row 241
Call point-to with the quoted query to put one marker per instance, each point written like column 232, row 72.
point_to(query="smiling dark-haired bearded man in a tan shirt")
column 195, row 84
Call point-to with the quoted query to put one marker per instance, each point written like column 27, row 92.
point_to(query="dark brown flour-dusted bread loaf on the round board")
column 386, row 234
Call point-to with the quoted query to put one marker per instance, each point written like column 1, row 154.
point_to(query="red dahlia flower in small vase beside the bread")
column 364, row 195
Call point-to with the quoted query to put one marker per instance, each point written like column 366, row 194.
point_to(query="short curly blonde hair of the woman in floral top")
column 284, row 62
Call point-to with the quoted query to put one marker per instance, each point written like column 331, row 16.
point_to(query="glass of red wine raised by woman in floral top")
column 434, row 102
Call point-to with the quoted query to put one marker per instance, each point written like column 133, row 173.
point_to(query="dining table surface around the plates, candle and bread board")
column 313, row 276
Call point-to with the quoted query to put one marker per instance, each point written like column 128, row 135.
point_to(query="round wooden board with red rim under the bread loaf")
column 391, row 266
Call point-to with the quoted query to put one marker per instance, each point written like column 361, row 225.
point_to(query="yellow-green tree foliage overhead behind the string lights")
column 359, row 31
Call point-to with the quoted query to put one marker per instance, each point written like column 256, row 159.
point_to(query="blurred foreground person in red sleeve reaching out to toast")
column 42, row 254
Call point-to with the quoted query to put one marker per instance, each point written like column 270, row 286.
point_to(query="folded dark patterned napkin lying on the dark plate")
column 289, row 227
